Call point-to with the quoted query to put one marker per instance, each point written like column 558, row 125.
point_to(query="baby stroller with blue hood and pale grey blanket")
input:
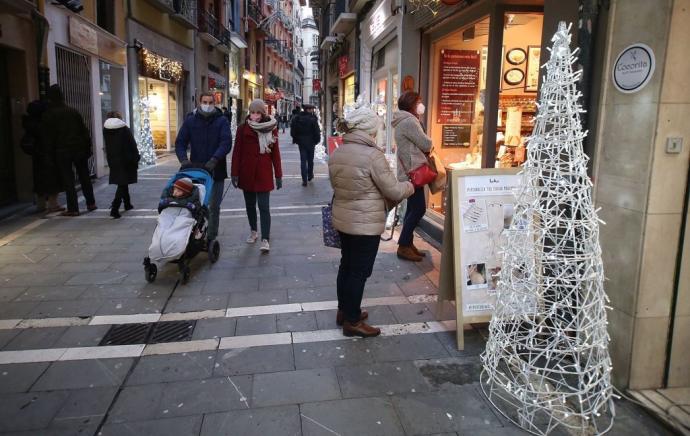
column 182, row 231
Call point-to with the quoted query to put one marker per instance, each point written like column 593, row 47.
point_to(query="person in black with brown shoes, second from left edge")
column 65, row 132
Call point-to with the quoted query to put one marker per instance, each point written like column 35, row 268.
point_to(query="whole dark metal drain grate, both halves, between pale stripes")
column 150, row 333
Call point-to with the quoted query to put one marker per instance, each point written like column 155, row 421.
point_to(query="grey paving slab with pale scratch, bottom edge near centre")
column 366, row 416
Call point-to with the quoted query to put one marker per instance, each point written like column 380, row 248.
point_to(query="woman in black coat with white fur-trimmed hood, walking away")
column 123, row 160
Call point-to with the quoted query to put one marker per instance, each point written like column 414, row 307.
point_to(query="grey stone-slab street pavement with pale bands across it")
column 264, row 357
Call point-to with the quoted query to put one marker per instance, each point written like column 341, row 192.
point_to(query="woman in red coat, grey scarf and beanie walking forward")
column 255, row 159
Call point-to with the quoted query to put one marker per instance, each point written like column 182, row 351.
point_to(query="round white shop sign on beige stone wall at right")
column 634, row 68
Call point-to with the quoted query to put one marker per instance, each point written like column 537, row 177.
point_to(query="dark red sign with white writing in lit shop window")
column 458, row 84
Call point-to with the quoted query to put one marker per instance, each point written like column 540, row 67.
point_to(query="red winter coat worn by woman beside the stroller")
column 255, row 170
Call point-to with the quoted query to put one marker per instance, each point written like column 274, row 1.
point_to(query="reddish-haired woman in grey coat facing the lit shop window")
column 413, row 147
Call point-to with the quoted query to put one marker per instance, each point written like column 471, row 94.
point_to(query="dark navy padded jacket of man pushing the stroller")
column 207, row 136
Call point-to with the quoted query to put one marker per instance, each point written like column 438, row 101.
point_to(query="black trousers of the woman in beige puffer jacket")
column 358, row 253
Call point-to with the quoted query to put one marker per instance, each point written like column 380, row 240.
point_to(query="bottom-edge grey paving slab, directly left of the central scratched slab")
column 284, row 421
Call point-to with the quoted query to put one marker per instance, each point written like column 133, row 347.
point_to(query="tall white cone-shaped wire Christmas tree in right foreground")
column 546, row 363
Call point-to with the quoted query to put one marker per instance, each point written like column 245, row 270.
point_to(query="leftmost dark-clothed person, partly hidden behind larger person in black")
column 46, row 176
